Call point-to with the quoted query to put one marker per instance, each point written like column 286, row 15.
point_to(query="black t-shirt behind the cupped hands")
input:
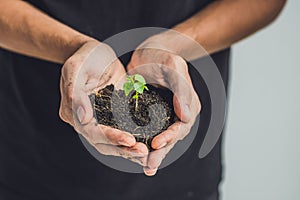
column 41, row 157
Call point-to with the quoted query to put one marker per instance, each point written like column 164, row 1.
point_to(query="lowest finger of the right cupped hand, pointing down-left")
column 155, row 159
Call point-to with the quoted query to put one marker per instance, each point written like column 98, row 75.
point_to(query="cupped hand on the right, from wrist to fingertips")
column 169, row 70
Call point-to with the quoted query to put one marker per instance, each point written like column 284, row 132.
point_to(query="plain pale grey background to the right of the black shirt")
column 262, row 142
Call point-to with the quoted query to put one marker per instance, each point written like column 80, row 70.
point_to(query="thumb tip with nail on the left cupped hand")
column 82, row 108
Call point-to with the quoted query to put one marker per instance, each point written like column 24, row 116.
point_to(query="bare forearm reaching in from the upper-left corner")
column 26, row 30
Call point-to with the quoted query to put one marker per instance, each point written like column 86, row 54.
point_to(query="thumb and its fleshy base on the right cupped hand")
column 171, row 71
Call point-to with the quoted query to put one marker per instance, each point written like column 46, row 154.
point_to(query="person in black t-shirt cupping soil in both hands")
column 42, row 158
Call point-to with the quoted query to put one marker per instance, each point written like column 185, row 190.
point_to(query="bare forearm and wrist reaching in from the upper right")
column 219, row 25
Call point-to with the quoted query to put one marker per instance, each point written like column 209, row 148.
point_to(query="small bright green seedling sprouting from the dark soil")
column 136, row 83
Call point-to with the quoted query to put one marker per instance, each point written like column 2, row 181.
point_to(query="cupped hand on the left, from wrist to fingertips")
column 90, row 68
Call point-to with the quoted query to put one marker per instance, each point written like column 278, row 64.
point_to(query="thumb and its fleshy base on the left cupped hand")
column 81, row 72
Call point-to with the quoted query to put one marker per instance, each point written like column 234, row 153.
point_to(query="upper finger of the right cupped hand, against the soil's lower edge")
column 168, row 136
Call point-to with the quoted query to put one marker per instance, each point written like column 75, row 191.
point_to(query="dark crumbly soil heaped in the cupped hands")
column 154, row 112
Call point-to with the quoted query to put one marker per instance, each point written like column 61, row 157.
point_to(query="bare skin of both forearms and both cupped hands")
column 28, row 31
